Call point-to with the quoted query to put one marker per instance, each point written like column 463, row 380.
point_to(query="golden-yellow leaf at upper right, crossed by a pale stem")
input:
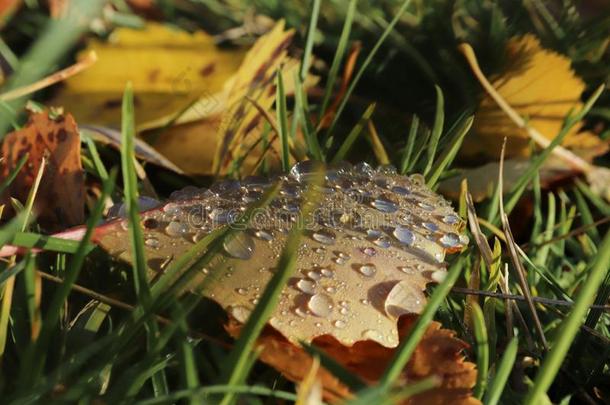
column 541, row 86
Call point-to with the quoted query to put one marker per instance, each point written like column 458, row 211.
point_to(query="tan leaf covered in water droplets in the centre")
column 376, row 240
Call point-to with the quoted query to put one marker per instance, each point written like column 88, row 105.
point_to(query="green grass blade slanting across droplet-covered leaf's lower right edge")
column 407, row 347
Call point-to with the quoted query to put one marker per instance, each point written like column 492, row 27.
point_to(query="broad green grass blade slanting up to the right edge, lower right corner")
column 570, row 326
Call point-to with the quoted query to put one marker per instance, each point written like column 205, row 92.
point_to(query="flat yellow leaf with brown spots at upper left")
column 169, row 69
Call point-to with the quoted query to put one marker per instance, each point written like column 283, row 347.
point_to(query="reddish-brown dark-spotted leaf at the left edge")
column 60, row 199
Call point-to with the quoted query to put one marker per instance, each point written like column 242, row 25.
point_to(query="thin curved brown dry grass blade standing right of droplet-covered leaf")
column 514, row 255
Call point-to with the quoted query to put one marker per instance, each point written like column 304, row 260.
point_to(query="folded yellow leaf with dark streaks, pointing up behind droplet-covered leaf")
column 205, row 144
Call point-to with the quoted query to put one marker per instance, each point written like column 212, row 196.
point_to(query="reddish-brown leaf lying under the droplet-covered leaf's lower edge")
column 439, row 353
